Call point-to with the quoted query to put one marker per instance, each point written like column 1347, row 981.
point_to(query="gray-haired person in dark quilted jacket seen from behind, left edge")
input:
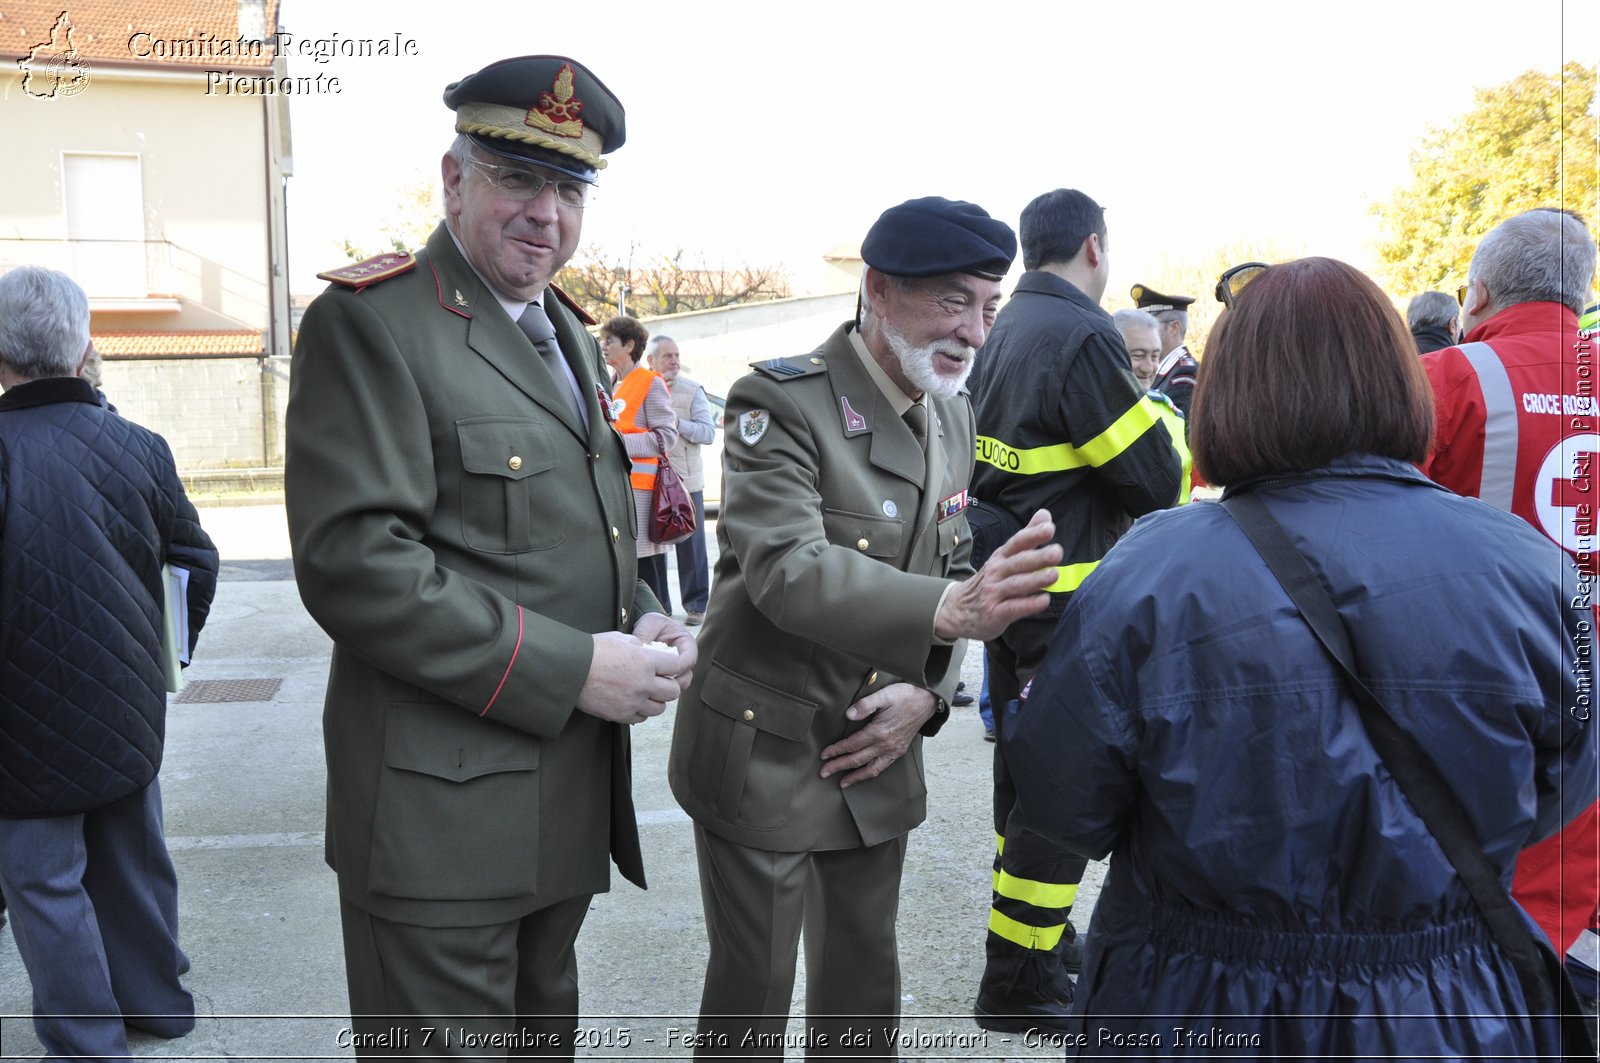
column 90, row 511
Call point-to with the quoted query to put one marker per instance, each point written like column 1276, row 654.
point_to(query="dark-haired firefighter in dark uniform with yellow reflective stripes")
column 1062, row 425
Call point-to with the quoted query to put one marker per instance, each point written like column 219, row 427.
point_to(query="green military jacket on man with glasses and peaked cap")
column 460, row 537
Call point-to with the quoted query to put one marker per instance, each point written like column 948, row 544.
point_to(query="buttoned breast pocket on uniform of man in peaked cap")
column 510, row 499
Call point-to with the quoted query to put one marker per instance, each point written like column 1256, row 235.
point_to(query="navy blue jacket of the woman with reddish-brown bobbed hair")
column 1268, row 880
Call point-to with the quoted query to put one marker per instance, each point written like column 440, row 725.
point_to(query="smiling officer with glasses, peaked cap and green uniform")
column 463, row 529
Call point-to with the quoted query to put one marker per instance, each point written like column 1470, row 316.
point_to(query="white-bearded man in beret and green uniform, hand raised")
column 836, row 635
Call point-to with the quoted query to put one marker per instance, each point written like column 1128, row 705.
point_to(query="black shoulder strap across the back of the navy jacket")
column 1412, row 769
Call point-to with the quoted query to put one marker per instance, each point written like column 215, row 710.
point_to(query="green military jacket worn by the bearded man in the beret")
column 838, row 540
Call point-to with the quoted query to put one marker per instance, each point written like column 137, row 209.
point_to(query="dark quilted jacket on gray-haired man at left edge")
column 90, row 510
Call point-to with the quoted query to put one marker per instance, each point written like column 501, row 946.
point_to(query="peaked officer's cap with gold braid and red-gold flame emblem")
column 543, row 110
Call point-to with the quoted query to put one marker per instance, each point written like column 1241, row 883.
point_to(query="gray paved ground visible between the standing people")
column 244, row 792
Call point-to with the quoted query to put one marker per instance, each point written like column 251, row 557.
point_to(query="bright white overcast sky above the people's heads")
column 774, row 134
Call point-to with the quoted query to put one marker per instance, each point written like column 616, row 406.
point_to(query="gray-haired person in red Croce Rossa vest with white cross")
column 1518, row 428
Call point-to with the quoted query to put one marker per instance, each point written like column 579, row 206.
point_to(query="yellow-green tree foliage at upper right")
column 1527, row 143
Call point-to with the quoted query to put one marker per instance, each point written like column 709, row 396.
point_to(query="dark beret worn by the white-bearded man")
column 934, row 236
